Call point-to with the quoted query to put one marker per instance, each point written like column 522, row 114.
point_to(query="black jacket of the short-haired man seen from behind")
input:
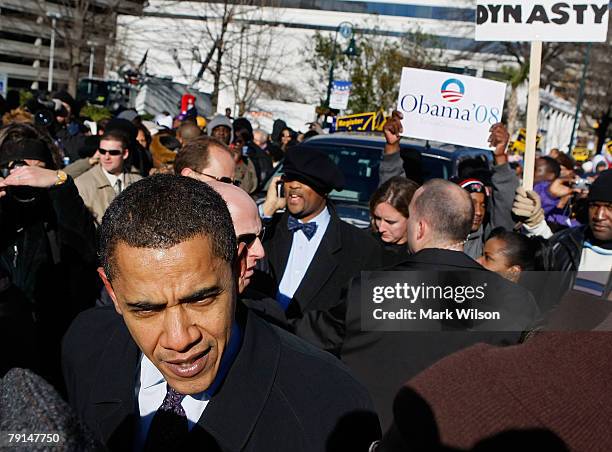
column 383, row 361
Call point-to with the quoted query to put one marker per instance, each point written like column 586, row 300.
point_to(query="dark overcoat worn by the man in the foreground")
column 280, row 393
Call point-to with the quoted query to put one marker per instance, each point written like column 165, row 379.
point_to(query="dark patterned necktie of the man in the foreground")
column 169, row 426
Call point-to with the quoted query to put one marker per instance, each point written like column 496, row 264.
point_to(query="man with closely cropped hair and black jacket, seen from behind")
column 440, row 219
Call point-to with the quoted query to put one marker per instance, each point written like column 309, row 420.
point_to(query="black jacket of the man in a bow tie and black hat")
column 344, row 251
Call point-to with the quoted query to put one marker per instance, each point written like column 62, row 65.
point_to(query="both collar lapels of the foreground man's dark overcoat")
column 231, row 414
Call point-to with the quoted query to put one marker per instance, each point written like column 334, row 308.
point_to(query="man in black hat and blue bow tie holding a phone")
column 311, row 254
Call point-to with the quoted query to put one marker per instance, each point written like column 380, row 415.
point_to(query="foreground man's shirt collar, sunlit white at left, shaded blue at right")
column 151, row 376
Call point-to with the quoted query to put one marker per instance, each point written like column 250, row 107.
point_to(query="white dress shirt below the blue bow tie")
column 300, row 257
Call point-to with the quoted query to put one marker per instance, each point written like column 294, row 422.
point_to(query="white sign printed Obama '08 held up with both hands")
column 449, row 108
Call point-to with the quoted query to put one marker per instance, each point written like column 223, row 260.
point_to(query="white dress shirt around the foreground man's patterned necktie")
column 151, row 388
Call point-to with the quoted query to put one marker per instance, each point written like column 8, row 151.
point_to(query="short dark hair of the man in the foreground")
column 162, row 211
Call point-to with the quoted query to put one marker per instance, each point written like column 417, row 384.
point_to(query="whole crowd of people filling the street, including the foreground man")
column 139, row 277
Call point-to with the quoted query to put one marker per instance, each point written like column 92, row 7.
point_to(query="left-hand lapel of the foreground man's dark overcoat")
column 114, row 397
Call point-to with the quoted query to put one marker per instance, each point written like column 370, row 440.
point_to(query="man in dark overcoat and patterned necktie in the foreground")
column 177, row 364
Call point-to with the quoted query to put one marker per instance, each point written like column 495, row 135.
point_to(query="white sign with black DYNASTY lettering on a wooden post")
column 542, row 20
